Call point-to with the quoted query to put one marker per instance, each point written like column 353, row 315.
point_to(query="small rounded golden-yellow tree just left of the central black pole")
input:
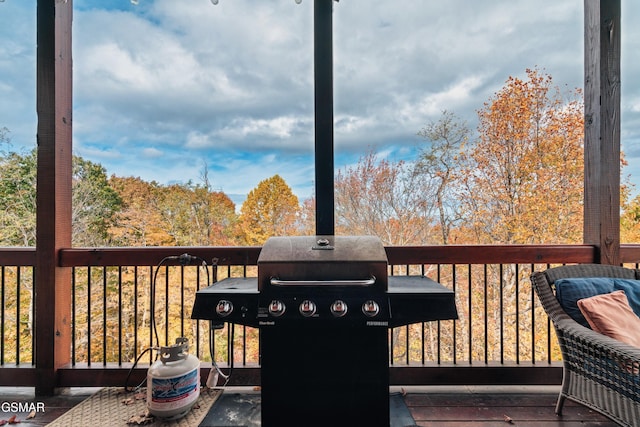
column 271, row 209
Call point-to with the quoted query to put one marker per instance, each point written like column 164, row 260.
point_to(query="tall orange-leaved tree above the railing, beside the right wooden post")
column 526, row 163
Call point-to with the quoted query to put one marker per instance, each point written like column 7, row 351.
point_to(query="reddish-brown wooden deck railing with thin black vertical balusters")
column 502, row 336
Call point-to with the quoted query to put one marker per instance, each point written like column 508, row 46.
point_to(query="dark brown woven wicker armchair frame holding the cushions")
column 598, row 372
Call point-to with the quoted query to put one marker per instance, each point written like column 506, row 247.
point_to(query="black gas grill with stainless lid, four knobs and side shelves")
column 324, row 305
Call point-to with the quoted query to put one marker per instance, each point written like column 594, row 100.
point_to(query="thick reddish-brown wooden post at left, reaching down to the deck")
column 53, row 105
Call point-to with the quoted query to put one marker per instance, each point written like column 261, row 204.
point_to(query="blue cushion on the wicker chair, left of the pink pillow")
column 569, row 291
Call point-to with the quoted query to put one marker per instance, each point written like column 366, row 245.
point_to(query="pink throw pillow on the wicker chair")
column 611, row 315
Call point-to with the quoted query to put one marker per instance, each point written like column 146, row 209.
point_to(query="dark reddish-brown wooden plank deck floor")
column 429, row 406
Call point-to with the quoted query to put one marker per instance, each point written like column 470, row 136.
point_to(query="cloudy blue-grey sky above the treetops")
column 166, row 88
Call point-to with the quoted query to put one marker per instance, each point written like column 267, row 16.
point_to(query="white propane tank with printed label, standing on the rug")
column 173, row 381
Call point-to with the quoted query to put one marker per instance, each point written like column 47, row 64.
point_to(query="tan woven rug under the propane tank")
column 112, row 406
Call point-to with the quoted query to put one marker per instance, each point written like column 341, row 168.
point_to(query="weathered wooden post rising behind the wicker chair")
column 602, row 128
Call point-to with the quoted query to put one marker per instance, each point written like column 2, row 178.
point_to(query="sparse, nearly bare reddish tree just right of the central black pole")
column 382, row 198
